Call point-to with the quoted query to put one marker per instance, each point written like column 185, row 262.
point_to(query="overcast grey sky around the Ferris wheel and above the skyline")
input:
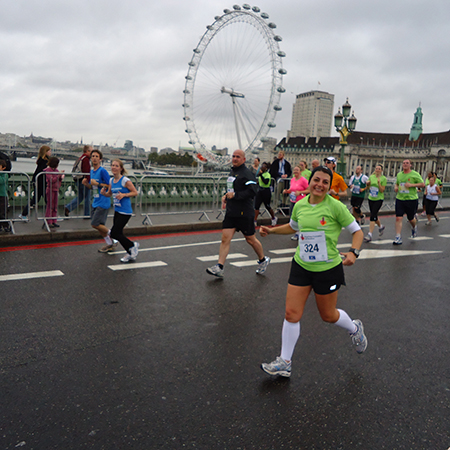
column 110, row 70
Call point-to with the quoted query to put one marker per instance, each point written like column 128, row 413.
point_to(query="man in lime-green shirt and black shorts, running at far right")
column 407, row 200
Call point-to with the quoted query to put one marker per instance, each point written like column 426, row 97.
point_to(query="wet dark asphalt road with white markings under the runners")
column 168, row 357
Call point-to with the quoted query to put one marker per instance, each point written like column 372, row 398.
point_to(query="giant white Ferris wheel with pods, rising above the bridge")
column 233, row 84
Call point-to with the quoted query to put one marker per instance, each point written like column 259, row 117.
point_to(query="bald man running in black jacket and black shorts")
column 240, row 210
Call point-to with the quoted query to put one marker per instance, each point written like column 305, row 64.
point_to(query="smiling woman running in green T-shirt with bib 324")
column 317, row 266
